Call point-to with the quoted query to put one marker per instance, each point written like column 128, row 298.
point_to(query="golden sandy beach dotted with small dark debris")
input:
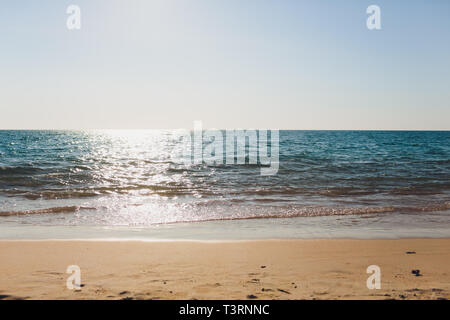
column 266, row 269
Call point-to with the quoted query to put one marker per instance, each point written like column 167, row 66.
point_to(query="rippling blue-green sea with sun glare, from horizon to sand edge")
column 126, row 184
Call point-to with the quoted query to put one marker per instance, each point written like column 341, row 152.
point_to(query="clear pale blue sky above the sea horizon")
column 273, row 64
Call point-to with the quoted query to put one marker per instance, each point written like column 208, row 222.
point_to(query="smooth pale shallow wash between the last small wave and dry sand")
column 392, row 226
